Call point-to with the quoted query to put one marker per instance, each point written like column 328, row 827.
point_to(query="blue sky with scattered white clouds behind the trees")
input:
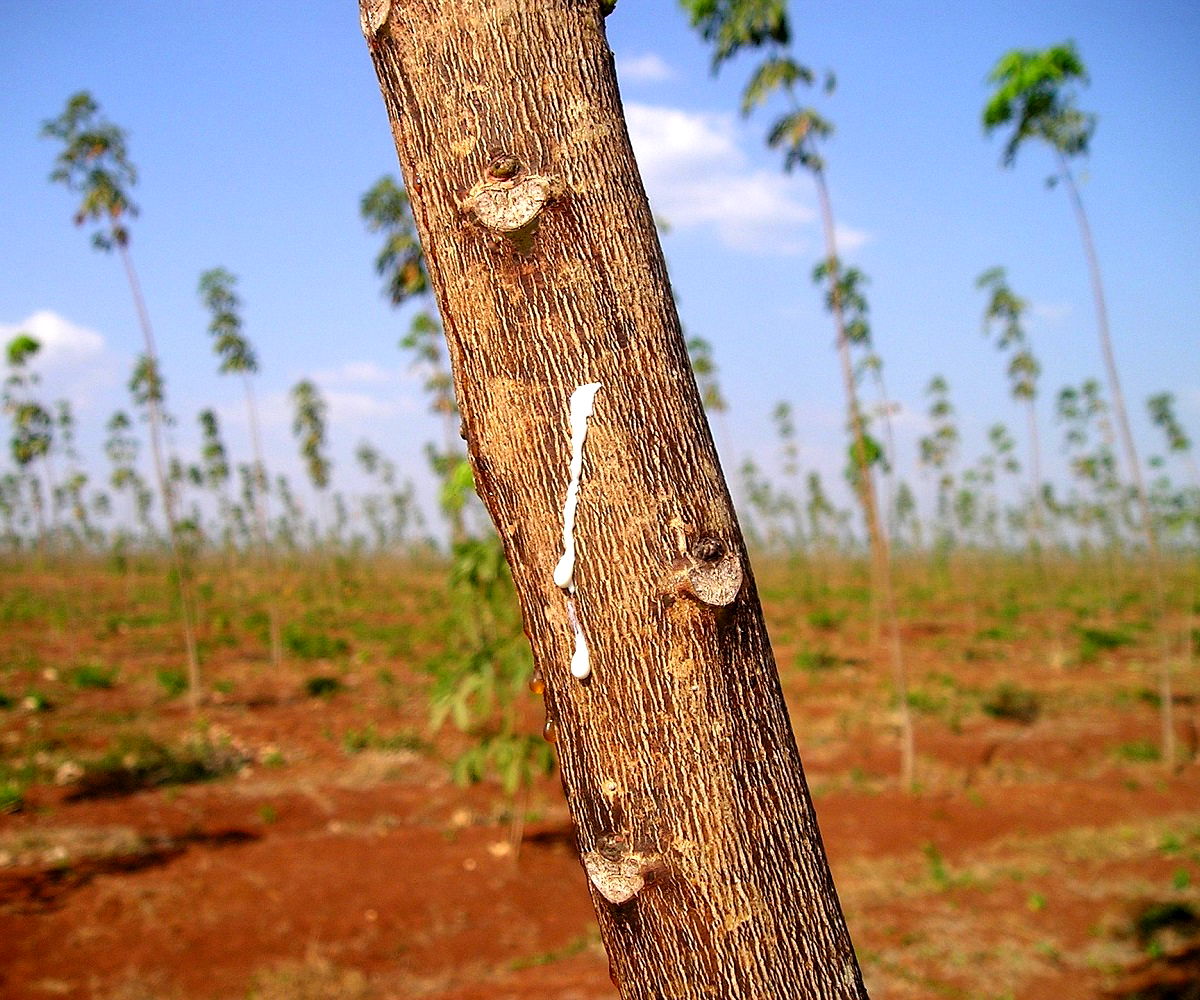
column 256, row 129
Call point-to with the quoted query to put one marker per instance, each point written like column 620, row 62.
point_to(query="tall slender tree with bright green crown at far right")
column 1035, row 99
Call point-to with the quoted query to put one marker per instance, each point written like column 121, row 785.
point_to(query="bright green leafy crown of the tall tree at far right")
column 1034, row 94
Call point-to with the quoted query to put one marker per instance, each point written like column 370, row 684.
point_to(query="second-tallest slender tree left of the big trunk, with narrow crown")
column 219, row 295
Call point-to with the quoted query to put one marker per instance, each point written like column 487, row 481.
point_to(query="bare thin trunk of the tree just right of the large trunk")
column 881, row 561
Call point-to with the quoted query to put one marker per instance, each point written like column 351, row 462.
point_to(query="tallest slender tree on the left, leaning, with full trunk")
column 94, row 164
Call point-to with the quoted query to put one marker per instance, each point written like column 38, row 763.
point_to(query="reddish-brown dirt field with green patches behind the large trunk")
column 302, row 839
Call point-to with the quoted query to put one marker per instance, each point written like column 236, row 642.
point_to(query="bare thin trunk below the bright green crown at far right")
column 1167, row 696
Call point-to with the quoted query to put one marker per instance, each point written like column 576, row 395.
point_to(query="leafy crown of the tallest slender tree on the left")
column 95, row 165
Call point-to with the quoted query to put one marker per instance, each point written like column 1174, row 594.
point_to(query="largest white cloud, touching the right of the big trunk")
column 698, row 176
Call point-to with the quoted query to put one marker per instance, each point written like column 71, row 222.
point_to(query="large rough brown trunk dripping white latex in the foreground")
column 677, row 757
